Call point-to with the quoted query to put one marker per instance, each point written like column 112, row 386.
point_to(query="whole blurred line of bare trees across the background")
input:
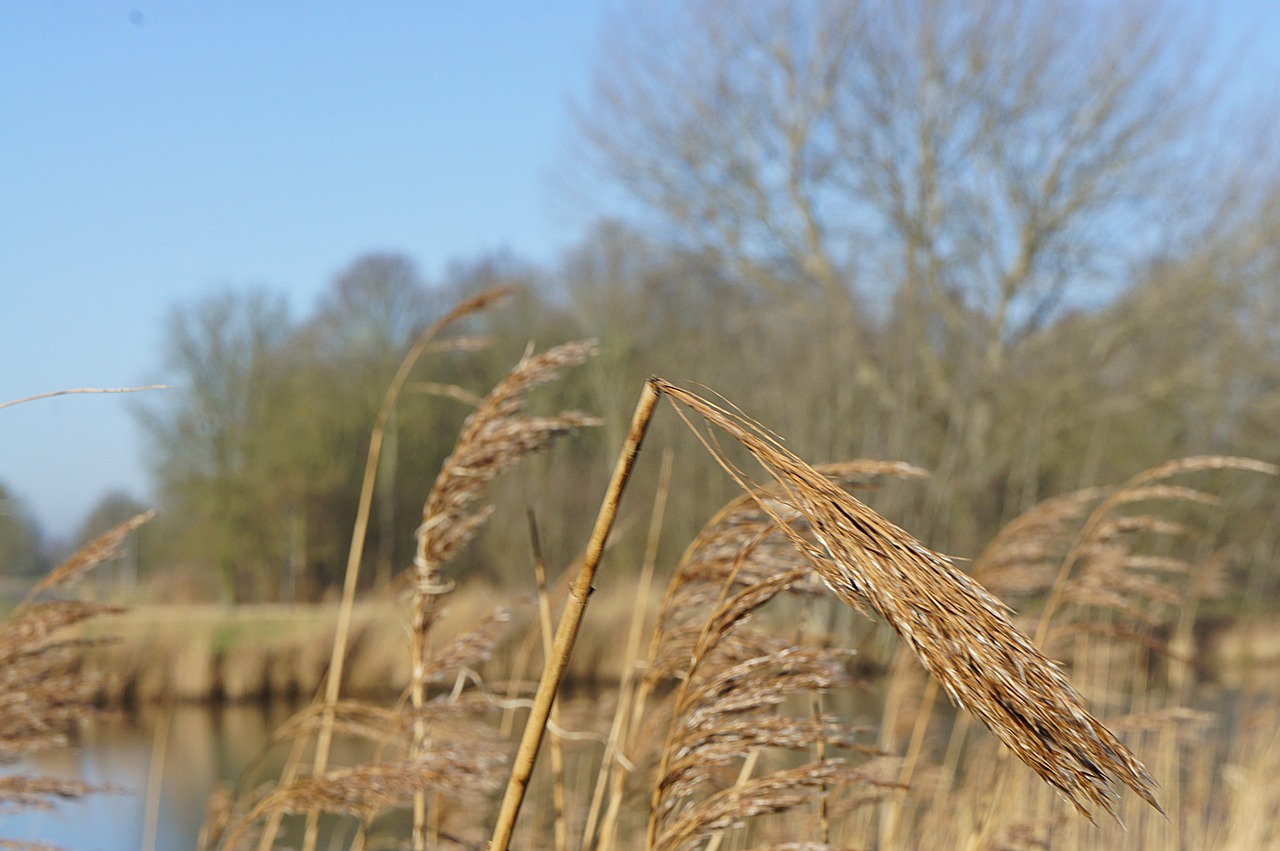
column 1028, row 246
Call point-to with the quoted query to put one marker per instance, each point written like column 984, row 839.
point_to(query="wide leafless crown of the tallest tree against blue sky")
column 977, row 157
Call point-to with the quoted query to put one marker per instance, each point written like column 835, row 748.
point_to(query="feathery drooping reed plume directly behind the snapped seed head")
column 737, row 679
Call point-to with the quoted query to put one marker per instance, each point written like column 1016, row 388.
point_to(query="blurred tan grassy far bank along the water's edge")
column 216, row 653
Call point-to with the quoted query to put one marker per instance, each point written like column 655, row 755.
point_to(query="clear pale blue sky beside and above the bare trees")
column 153, row 152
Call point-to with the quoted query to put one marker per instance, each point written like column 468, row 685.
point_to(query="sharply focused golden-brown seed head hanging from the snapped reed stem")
column 962, row 635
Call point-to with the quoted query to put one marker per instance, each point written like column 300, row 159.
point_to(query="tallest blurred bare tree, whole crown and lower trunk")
column 927, row 184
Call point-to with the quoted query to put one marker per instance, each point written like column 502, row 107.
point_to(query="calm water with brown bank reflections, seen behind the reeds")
column 203, row 747
